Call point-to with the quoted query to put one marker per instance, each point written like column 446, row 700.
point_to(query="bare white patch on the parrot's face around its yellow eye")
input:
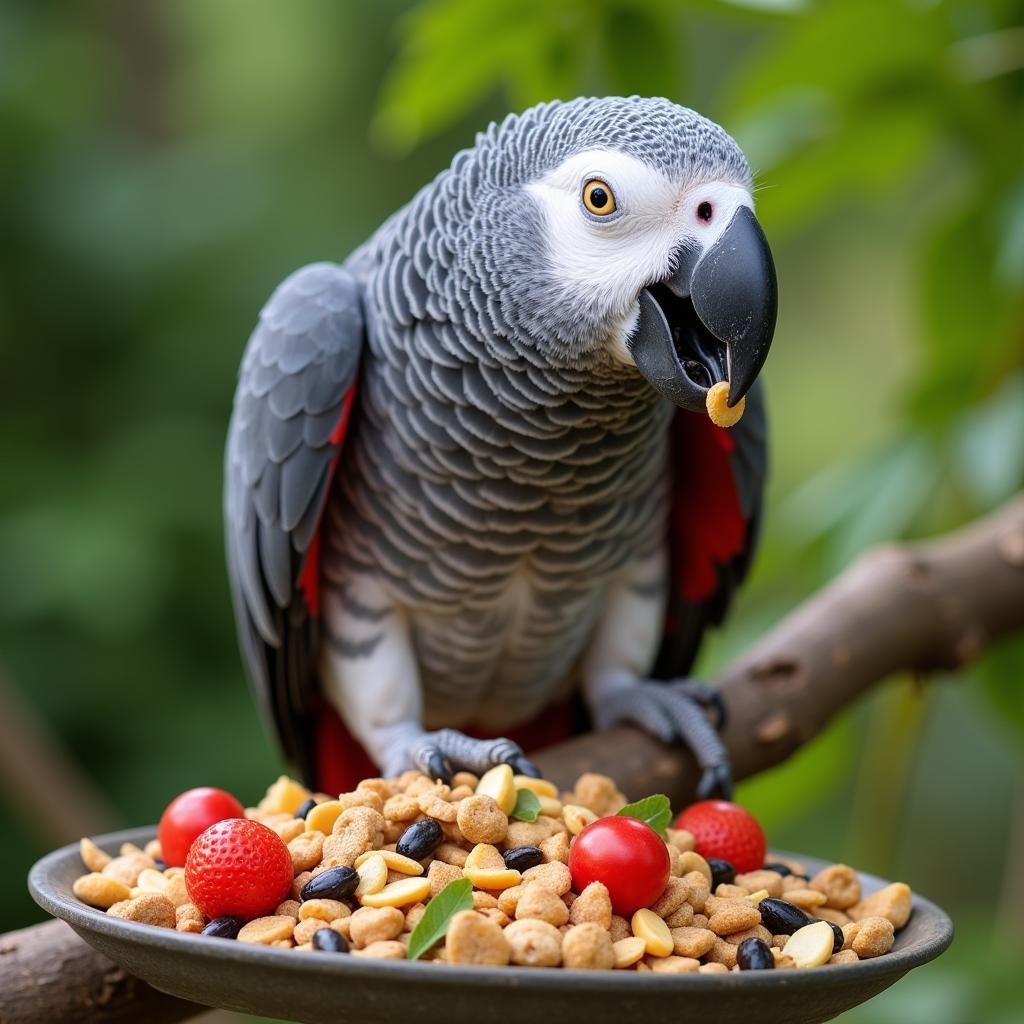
column 612, row 258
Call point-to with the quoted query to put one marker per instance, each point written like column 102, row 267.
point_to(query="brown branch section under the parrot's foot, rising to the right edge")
column 915, row 608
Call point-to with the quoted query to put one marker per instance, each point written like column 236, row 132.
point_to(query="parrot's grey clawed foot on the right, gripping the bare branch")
column 677, row 712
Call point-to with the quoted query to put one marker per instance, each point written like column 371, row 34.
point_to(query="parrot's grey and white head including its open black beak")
column 625, row 228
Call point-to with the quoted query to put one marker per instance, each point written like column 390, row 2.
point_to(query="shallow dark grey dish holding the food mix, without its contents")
column 328, row 988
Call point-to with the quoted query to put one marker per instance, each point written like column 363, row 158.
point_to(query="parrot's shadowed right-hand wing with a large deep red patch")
column 714, row 523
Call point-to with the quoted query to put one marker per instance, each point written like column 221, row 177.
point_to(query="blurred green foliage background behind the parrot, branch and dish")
column 164, row 165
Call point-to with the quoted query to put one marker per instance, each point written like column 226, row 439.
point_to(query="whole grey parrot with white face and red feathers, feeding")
column 470, row 473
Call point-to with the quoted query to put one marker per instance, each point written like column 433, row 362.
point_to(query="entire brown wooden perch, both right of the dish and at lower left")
column 919, row 608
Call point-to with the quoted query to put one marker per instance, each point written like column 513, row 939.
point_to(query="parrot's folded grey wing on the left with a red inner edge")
column 292, row 407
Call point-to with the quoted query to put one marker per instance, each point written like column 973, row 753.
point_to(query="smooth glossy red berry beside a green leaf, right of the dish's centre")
column 628, row 857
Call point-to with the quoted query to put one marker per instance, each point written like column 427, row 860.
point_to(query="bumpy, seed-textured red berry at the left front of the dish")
column 240, row 869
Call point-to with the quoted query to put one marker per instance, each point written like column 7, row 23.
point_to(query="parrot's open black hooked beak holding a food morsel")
column 713, row 320
